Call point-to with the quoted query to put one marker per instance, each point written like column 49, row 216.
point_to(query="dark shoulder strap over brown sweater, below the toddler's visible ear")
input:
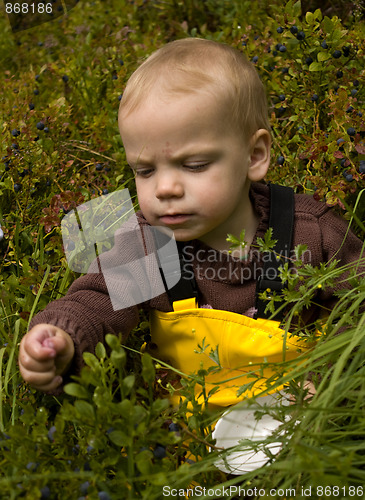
column 281, row 220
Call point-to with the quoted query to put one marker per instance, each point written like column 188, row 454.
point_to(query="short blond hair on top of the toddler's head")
column 195, row 65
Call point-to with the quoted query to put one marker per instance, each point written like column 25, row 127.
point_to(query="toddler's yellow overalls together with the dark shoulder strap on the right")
column 242, row 342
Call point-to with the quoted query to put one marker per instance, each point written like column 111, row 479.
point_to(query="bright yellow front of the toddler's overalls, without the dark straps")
column 243, row 343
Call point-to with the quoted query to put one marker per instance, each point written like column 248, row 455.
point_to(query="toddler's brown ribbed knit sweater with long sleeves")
column 86, row 312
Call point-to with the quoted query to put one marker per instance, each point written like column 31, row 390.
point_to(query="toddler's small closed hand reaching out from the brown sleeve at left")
column 45, row 354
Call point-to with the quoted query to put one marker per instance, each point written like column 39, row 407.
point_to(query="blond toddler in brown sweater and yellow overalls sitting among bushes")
column 194, row 124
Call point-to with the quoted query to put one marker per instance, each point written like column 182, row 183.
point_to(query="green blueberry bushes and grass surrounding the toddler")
column 113, row 433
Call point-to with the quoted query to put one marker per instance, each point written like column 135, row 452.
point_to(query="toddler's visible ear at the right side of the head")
column 260, row 145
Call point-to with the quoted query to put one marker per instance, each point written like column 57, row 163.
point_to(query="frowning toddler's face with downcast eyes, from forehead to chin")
column 192, row 169
